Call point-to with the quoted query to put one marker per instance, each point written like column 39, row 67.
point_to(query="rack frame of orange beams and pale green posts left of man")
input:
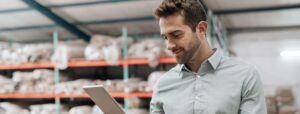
column 125, row 62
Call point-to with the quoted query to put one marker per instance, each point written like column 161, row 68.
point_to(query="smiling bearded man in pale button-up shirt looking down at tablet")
column 204, row 81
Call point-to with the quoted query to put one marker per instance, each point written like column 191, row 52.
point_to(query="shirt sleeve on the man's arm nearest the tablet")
column 155, row 104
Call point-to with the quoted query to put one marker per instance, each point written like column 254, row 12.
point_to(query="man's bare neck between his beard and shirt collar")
column 195, row 63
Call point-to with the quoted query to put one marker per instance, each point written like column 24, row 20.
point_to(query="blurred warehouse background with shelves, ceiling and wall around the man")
column 108, row 41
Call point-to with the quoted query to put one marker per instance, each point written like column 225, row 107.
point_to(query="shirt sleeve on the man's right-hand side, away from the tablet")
column 253, row 98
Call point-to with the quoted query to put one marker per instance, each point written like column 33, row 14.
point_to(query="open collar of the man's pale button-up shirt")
column 211, row 63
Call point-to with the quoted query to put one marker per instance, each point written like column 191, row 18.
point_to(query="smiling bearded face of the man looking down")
column 180, row 38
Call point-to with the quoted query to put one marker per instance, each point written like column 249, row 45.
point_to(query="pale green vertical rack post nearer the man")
column 125, row 66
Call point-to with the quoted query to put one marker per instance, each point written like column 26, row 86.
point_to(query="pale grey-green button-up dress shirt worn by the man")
column 221, row 86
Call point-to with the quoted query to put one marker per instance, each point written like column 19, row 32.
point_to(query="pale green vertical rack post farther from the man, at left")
column 56, row 75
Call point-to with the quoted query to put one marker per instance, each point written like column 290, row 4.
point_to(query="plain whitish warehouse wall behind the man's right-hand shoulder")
column 262, row 48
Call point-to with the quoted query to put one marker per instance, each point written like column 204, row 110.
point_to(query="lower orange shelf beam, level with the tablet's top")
column 52, row 96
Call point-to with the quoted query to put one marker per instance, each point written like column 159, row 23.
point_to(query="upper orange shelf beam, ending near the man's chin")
column 85, row 63
